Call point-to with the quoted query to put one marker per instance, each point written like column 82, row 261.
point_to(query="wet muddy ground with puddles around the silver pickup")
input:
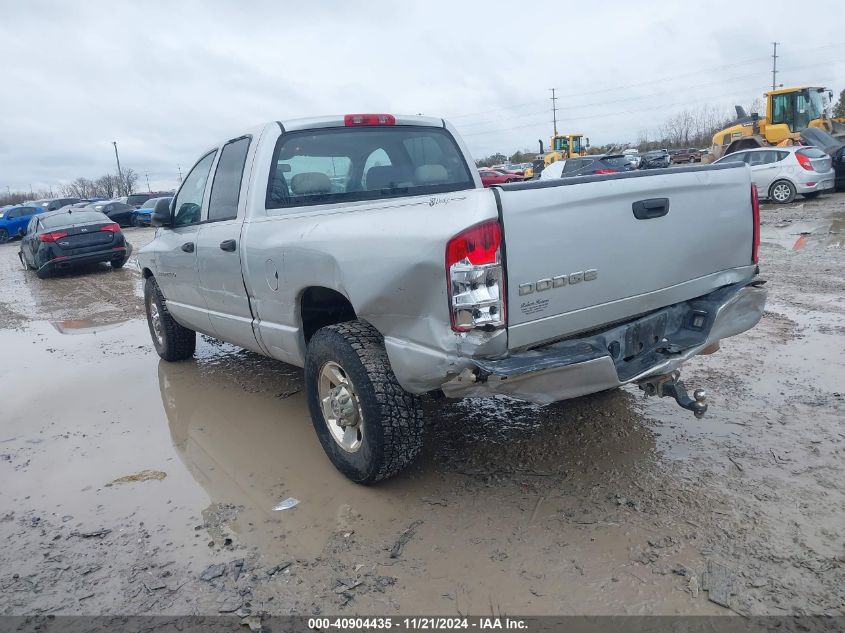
column 608, row 504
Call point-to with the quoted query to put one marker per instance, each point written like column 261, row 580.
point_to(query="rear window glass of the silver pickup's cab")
column 364, row 163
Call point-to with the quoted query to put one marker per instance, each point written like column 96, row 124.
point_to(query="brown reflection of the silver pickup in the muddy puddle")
column 252, row 450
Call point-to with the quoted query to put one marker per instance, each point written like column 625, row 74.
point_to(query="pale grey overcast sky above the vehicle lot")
column 168, row 79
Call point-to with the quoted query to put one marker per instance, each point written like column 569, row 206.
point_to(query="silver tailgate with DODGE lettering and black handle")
column 585, row 252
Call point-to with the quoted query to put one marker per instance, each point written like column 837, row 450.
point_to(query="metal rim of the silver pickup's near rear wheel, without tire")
column 341, row 407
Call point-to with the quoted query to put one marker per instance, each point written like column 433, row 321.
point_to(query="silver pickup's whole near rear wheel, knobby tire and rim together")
column 369, row 427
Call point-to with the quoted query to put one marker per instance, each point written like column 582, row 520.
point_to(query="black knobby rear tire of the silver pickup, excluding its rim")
column 393, row 419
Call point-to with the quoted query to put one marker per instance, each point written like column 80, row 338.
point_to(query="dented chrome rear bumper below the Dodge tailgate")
column 655, row 344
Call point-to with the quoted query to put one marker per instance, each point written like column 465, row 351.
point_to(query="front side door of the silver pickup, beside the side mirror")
column 176, row 251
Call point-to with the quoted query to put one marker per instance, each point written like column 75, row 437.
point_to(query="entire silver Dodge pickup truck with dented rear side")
column 365, row 249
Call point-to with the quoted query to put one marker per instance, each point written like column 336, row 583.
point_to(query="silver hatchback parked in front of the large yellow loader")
column 781, row 173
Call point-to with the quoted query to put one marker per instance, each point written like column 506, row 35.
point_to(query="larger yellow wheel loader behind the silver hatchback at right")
column 788, row 112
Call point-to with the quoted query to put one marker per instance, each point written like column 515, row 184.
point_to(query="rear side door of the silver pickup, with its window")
column 219, row 248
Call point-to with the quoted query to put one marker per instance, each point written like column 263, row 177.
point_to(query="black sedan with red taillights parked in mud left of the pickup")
column 62, row 239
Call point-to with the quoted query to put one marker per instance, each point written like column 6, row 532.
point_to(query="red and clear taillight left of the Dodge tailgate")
column 475, row 278
